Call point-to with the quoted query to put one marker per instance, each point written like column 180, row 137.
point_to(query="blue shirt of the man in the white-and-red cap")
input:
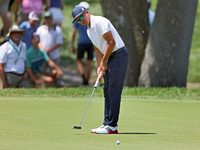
column 28, row 32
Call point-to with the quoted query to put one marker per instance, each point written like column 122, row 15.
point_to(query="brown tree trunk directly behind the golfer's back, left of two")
column 122, row 14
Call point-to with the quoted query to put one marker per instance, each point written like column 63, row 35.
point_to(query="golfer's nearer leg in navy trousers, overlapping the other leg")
column 117, row 65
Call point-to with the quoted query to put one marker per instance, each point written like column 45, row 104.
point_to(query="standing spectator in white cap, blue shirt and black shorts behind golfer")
column 84, row 44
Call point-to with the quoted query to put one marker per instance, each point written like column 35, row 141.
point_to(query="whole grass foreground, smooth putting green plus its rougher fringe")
column 149, row 119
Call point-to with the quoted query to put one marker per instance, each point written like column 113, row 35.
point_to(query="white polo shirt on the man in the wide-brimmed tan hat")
column 13, row 56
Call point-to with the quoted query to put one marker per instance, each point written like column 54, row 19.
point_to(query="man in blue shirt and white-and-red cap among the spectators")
column 30, row 27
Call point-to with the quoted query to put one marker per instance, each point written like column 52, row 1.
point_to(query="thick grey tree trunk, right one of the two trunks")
column 167, row 52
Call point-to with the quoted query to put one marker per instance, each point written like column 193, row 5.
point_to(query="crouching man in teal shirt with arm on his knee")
column 36, row 57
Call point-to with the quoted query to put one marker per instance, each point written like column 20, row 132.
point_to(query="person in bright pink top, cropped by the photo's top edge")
column 28, row 6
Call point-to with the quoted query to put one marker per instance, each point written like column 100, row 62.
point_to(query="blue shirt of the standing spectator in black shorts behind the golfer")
column 82, row 31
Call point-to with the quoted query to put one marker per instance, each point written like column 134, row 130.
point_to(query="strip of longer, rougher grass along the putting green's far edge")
column 133, row 93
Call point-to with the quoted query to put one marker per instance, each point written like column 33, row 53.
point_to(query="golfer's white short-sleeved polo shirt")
column 98, row 27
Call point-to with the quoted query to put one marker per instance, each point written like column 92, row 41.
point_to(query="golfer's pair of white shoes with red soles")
column 106, row 130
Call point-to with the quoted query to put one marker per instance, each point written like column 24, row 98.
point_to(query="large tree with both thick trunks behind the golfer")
column 167, row 51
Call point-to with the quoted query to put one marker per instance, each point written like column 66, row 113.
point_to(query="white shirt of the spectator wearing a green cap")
column 48, row 38
